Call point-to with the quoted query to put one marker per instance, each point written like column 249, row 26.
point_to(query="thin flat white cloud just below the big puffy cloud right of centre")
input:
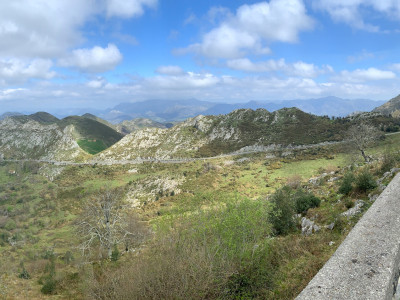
column 298, row 69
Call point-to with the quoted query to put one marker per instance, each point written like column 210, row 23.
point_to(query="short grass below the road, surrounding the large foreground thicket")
column 43, row 211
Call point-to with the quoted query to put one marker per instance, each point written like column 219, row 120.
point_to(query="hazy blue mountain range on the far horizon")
column 164, row 111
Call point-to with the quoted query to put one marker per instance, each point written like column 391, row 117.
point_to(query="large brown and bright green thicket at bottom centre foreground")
column 218, row 253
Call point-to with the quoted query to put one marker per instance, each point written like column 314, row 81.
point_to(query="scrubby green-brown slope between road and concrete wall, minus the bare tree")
column 218, row 228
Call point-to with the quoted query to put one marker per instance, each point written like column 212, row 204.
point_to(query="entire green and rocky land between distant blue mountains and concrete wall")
column 229, row 178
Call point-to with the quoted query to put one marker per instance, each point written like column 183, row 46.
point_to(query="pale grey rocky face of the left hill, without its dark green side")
column 29, row 139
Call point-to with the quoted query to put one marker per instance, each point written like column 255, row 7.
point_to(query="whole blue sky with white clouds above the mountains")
column 98, row 53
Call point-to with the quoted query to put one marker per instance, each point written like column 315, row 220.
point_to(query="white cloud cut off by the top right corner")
column 350, row 11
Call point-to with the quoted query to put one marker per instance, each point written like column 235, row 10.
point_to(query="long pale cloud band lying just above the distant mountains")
column 59, row 97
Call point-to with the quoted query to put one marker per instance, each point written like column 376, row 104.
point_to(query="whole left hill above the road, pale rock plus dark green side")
column 43, row 136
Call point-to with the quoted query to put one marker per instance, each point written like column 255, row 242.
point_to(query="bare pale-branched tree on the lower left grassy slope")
column 105, row 223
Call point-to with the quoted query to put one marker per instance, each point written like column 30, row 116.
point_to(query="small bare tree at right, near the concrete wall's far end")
column 362, row 136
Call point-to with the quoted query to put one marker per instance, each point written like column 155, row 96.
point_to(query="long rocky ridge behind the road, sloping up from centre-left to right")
column 241, row 130
